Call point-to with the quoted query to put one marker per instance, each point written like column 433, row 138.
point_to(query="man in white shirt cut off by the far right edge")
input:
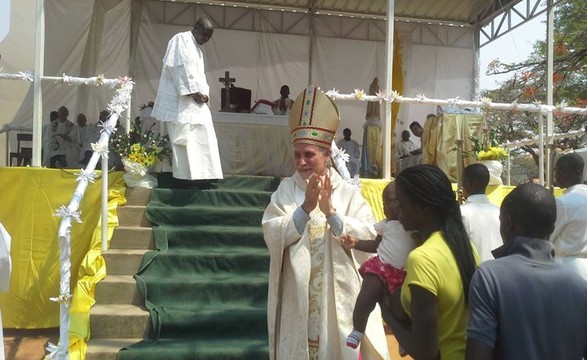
column 569, row 237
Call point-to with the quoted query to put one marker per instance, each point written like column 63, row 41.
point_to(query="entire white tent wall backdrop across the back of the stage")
column 262, row 49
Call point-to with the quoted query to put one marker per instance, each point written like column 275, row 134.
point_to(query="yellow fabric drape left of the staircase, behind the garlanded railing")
column 29, row 198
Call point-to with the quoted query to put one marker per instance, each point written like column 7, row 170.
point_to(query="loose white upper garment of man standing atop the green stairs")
column 182, row 74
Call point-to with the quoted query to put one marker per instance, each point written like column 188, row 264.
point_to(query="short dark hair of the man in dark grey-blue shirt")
column 533, row 208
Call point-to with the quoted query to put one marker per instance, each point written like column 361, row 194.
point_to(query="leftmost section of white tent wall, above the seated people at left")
column 95, row 41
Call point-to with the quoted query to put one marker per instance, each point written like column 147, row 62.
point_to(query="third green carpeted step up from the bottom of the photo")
column 211, row 289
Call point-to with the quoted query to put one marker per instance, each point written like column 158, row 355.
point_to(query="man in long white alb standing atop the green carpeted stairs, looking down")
column 182, row 104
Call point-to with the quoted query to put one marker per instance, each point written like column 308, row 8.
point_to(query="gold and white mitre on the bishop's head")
column 313, row 118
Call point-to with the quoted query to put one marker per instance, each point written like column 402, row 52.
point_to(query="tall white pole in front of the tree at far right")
column 549, row 83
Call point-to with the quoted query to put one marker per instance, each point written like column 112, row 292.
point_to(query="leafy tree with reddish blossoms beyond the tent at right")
column 528, row 82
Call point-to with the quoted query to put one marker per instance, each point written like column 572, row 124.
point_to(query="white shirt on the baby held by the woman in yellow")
column 396, row 243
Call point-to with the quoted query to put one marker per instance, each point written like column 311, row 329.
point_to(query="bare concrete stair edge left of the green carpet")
column 119, row 317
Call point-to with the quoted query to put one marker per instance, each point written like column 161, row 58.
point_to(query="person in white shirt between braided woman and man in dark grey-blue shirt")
column 480, row 217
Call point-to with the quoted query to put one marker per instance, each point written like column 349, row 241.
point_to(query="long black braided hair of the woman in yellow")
column 429, row 186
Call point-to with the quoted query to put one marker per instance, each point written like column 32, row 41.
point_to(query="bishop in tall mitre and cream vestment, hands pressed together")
column 313, row 281
